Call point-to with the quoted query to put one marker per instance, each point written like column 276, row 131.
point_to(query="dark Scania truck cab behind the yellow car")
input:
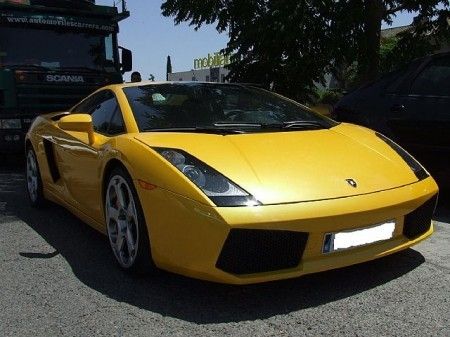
column 52, row 54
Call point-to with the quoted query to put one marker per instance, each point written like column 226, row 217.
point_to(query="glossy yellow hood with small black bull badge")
column 296, row 166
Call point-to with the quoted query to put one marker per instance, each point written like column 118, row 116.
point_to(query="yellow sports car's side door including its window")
column 83, row 161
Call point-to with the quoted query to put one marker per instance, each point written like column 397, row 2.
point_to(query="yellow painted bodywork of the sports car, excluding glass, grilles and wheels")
column 298, row 176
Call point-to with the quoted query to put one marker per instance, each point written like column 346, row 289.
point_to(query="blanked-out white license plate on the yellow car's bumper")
column 360, row 237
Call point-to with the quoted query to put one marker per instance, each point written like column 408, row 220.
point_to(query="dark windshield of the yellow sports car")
column 209, row 107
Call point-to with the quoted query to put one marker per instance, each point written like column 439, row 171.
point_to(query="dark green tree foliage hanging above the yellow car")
column 291, row 44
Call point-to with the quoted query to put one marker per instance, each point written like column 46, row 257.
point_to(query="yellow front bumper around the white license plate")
column 189, row 238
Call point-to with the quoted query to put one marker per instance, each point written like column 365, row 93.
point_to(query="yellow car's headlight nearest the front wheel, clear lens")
column 217, row 187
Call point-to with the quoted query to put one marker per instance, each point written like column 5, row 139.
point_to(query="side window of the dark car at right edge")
column 434, row 80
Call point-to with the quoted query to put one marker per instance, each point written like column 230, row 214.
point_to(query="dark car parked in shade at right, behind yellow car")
column 410, row 105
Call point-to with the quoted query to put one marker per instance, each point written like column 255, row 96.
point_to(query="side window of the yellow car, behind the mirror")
column 105, row 112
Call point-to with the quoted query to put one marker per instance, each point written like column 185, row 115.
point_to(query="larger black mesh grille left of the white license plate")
column 248, row 251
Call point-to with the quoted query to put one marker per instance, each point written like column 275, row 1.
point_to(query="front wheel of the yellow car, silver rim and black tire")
column 125, row 224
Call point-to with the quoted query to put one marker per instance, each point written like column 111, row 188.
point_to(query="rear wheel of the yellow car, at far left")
column 34, row 180
